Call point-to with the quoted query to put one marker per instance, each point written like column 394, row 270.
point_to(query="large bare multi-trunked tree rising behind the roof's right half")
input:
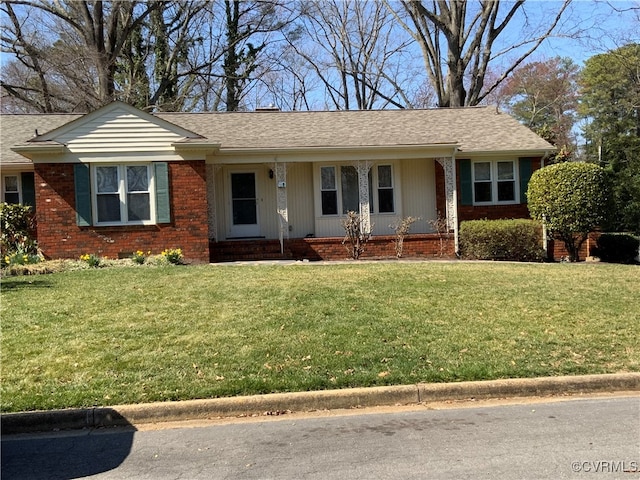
column 460, row 40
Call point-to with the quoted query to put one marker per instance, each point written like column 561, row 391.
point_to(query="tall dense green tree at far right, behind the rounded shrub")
column 610, row 105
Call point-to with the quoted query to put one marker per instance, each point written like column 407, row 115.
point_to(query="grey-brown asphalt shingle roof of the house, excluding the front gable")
column 475, row 129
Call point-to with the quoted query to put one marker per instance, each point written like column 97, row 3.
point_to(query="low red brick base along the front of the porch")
column 428, row 245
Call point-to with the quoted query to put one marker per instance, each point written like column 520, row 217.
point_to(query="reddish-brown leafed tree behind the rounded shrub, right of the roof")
column 543, row 96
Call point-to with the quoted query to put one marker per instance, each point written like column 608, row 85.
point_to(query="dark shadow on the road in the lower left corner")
column 68, row 454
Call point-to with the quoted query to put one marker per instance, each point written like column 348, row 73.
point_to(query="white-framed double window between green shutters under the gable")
column 123, row 194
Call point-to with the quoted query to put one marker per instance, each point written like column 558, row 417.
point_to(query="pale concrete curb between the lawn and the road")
column 124, row 415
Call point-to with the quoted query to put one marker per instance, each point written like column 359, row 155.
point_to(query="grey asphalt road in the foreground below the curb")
column 577, row 438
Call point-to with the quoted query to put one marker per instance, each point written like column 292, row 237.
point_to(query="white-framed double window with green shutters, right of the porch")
column 494, row 182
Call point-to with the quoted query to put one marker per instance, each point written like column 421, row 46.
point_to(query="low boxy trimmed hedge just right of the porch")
column 517, row 240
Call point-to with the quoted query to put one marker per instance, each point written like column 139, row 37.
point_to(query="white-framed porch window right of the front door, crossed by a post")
column 340, row 189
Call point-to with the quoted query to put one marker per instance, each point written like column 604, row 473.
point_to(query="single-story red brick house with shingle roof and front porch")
column 264, row 184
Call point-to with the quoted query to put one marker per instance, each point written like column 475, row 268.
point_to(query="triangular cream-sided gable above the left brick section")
column 116, row 127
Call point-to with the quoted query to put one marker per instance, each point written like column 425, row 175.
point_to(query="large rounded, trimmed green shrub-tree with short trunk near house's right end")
column 571, row 199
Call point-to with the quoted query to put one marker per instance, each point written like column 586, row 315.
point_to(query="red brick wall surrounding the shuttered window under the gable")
column 60, row 237
